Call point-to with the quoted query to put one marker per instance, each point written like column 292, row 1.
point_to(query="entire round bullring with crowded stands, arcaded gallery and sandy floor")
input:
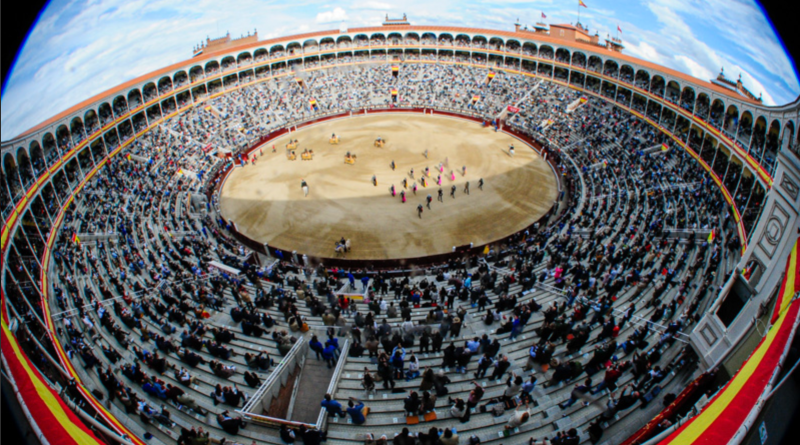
column 626, row 276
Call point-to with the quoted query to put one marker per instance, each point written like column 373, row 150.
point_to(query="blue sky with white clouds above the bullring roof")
column 80, row 48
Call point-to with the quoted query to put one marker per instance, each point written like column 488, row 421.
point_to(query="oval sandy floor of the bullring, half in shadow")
column 267, row 205
